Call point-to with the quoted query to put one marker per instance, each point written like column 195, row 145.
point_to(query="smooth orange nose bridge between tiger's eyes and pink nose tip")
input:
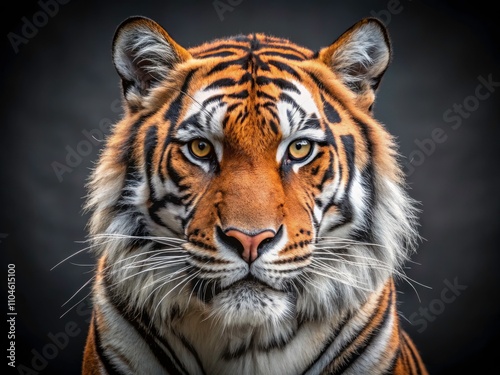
column 253, row 196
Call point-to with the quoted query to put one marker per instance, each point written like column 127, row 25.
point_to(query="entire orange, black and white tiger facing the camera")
column 249, row 215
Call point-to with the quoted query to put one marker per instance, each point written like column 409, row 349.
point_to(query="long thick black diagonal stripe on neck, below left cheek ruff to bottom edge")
column 141, row 322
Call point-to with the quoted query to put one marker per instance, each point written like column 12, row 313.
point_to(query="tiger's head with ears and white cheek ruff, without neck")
column 248, row 182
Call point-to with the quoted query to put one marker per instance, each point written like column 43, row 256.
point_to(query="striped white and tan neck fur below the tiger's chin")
column 250, row 350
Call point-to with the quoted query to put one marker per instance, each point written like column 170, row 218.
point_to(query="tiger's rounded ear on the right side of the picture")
column 360, row 57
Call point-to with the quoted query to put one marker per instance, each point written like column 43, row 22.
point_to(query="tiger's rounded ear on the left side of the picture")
column 144, row 55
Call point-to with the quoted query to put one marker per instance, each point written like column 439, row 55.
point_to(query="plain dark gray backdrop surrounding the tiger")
column 62, row 82
